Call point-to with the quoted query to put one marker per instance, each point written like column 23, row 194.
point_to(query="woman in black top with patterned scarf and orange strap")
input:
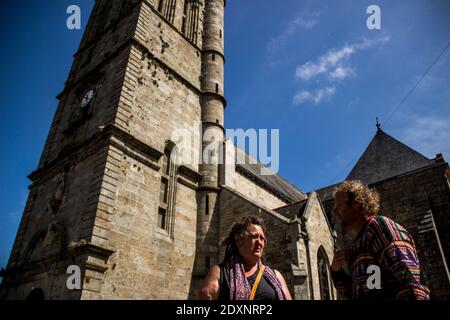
column 242, row 275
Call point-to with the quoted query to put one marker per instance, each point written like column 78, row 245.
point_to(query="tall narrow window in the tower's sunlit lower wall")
column 167, row 195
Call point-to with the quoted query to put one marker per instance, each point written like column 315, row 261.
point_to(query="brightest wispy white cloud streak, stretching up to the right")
column 331, row 63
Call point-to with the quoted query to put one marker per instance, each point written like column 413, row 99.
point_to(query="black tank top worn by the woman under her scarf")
column 264, row 292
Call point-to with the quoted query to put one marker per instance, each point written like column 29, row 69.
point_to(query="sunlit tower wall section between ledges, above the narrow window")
column 158, row 106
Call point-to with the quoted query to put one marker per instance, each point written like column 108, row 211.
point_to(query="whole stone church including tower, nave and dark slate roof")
column 110, row 197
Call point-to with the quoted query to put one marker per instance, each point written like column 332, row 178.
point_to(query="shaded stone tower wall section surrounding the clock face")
column 100, row 66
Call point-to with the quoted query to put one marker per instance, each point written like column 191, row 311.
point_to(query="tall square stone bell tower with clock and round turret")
column 108, row 197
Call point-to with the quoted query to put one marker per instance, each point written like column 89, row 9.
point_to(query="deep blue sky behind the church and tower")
column 309, row 68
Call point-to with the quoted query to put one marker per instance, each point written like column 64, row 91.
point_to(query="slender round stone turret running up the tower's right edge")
column 213, row 104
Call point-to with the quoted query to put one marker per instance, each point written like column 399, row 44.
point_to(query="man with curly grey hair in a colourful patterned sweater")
column 383, row 260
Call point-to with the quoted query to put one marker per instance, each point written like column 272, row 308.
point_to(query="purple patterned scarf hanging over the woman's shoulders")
column 239, row 286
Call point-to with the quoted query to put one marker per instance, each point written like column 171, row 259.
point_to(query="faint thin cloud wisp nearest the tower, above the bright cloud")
column 302, row 21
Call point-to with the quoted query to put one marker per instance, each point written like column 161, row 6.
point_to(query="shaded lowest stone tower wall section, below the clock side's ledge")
column 60, row 202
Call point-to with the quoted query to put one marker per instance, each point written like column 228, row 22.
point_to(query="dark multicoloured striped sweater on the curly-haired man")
column 387, row 245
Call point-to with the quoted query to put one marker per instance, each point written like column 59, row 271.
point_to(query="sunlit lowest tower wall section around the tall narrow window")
column 147, row 262
